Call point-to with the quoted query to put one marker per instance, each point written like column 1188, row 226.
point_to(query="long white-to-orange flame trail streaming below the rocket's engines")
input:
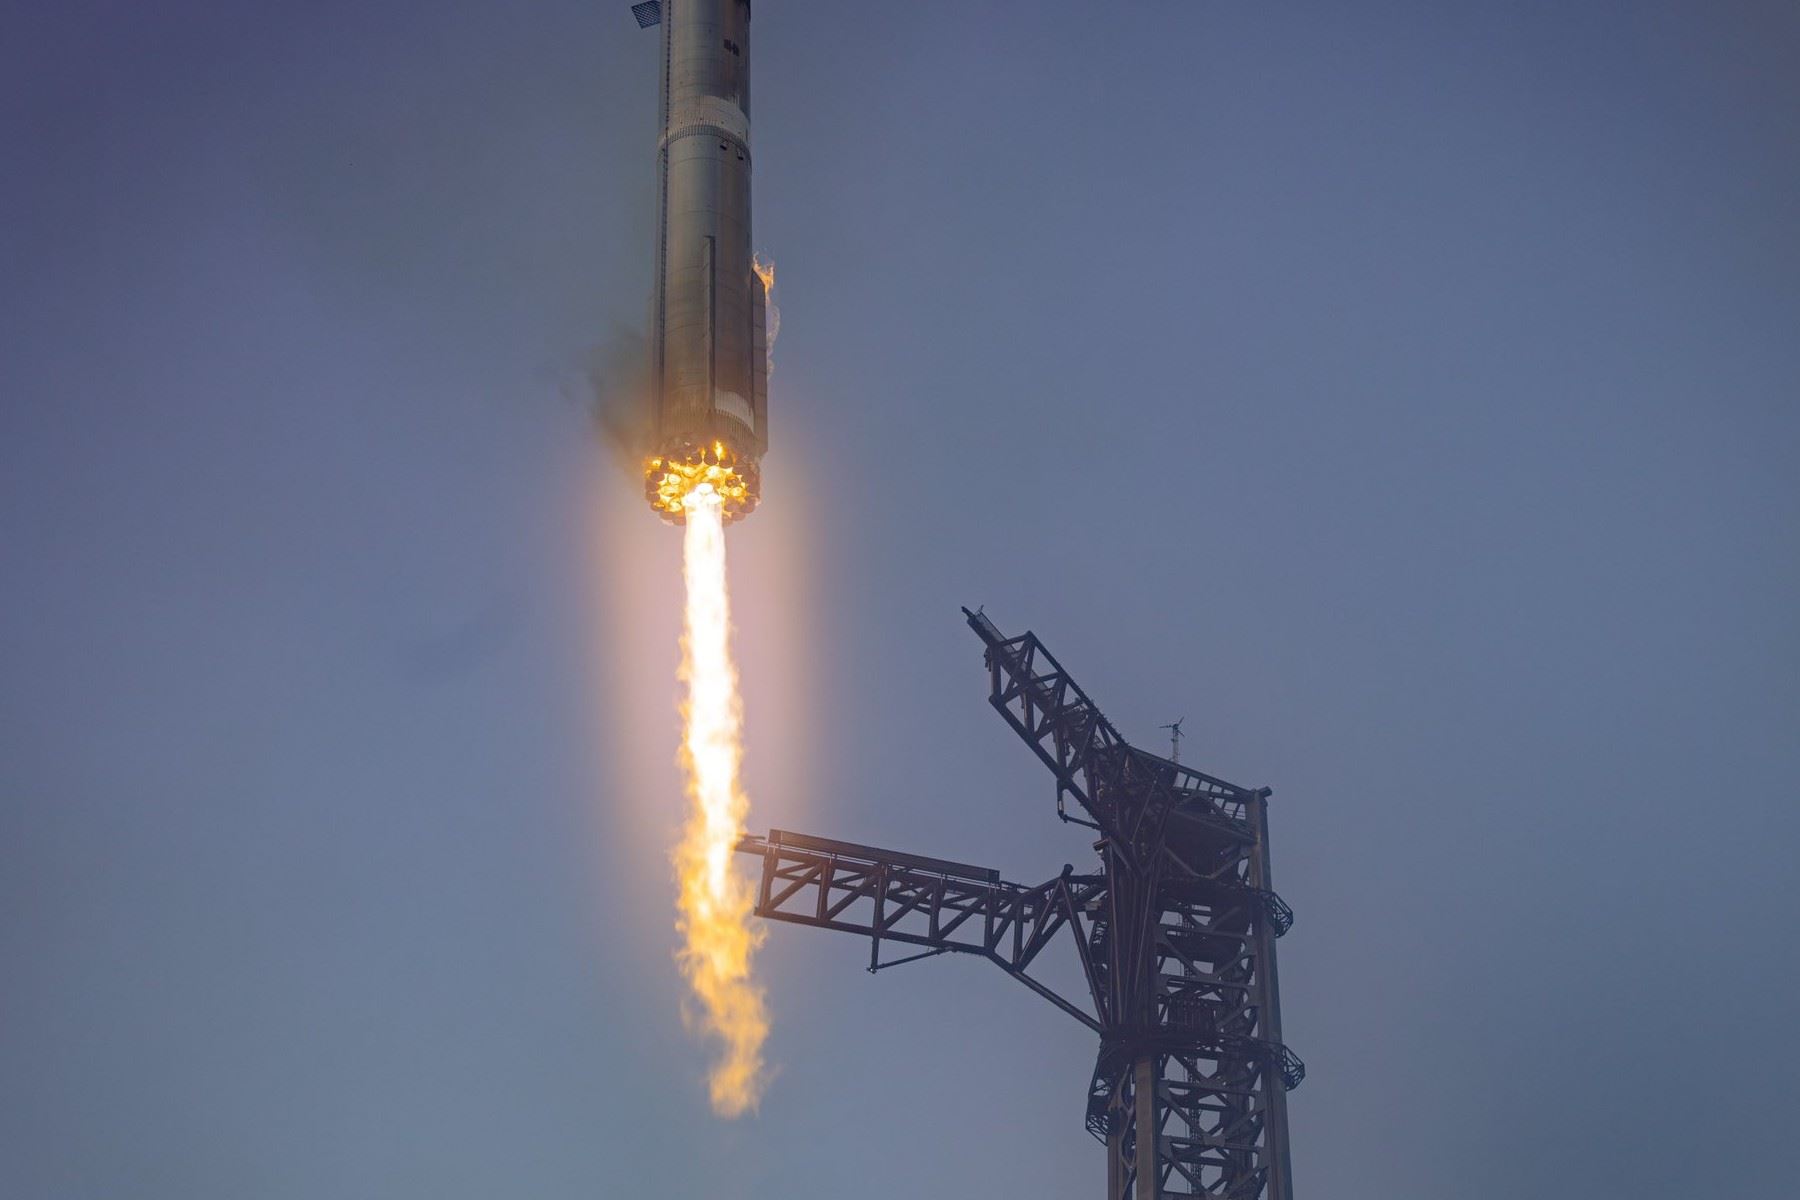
column 715, row 900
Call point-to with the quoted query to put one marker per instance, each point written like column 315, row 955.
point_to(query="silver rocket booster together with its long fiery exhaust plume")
column 710, row 377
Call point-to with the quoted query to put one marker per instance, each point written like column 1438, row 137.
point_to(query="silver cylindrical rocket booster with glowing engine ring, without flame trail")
column 710, row 346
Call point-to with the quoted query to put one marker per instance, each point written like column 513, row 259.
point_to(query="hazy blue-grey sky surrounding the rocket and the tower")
column 1407, row 395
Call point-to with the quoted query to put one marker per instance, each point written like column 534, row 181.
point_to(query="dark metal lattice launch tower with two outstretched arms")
column 1174, row 935
